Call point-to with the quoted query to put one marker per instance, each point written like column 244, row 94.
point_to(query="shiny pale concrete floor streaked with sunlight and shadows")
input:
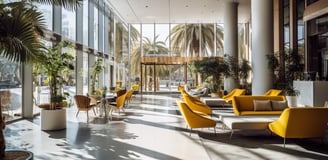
column 151, row 128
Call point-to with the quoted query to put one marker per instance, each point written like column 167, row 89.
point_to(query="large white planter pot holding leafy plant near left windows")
column 53, row 119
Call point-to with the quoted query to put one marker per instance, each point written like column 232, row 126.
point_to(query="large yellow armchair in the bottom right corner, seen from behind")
column 308, row 122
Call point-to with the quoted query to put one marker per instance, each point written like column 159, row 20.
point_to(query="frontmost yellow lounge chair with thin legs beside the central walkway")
column 194, row 119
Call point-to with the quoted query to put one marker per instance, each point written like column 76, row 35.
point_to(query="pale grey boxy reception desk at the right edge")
column 312, row 93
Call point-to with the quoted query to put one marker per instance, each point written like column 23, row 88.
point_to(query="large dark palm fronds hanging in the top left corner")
column 19, row 38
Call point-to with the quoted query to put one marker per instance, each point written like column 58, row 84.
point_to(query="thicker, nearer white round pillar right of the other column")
column 262, row 45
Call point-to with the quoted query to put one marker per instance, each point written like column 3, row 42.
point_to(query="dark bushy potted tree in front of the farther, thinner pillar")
column 213, row 69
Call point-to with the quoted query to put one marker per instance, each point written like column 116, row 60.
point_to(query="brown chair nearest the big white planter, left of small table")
column 83, row 103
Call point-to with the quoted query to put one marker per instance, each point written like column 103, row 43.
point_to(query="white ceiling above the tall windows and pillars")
column 177, row 11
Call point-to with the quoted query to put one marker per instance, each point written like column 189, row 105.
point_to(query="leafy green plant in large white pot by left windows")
column 57, row 66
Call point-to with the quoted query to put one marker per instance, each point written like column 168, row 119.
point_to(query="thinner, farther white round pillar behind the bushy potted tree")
column 230, row 38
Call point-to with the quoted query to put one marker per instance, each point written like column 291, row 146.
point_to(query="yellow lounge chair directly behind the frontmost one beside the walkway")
column 196, row 104
